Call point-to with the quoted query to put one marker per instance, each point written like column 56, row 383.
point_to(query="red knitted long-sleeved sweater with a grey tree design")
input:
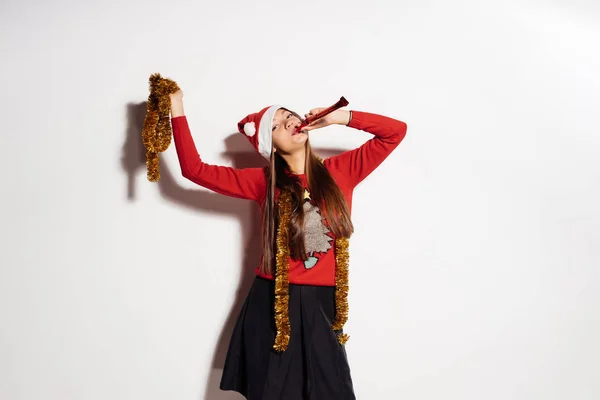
column 347, row 169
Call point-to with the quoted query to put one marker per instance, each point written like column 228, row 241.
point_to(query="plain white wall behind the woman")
column 474, row 268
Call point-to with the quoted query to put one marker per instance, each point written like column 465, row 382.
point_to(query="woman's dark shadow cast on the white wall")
column 133, row 162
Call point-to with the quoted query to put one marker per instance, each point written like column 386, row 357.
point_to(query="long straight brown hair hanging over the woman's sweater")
column 323, row 190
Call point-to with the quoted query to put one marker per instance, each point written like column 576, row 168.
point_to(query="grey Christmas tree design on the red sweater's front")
column 317, row 236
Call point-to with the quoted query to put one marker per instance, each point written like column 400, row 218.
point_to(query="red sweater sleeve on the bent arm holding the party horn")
column 357, row 164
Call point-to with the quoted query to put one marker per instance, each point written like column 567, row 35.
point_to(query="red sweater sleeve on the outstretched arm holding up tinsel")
column 246, row 183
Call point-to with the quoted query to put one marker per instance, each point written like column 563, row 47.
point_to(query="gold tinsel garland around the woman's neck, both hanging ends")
column 282, row 294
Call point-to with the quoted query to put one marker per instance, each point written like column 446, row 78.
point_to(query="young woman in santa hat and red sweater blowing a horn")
column 288, row 342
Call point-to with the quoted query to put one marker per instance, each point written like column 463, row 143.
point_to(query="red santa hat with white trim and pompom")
column 257, row 128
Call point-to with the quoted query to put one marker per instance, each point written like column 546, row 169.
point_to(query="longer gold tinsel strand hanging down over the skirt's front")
column 282, row 286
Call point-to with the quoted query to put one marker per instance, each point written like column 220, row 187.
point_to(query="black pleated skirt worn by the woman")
column 314, row 366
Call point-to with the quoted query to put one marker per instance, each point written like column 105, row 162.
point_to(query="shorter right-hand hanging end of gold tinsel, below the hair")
column 342, row 258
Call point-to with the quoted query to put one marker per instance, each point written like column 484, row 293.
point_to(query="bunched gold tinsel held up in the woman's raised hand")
column 156, row 134
